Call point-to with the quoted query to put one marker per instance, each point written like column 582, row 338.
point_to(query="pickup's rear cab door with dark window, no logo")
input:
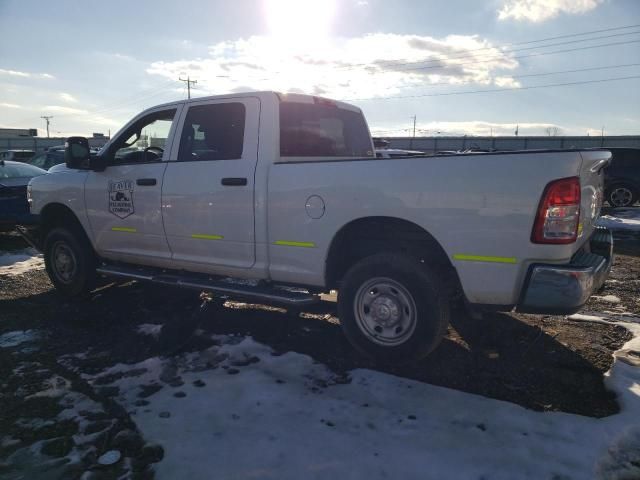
column 208, row 193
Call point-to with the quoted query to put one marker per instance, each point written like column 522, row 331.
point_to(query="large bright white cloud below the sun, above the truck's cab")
column 368, row 66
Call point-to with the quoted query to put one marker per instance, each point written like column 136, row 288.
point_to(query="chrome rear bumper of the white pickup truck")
column 564, row 289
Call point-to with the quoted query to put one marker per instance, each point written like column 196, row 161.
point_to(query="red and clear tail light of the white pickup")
column 559, row 213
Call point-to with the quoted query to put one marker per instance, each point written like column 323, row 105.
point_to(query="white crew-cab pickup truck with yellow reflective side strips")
column 285, row 193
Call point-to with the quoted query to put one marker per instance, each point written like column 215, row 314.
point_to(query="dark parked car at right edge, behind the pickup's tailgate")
column 622, row 177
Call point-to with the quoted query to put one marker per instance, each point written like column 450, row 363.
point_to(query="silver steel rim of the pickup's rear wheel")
column 385, row 311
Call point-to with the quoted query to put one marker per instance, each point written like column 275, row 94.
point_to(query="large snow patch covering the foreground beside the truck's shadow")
column 244, row 411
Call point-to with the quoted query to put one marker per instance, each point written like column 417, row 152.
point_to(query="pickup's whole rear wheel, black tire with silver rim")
column 392, row 308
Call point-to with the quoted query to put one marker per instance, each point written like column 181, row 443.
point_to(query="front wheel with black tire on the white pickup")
column 77, row 275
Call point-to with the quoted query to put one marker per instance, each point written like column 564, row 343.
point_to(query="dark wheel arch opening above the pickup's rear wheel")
column 368, row 236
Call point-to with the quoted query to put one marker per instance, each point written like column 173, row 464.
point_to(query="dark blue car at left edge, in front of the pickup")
column 14, row 178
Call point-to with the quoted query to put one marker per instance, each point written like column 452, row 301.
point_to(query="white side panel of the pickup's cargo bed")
column 479, row 205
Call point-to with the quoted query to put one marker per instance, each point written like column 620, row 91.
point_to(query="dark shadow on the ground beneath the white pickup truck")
column 500, row 356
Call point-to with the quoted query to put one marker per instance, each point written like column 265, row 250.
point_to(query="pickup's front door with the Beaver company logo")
column 123, row 201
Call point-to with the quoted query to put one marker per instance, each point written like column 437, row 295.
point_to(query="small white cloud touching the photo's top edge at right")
column 541, row 10
